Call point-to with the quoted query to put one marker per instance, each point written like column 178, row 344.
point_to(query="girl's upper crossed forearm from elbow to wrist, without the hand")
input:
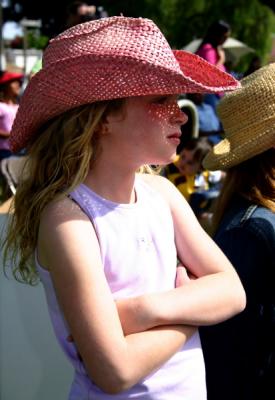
column 208, row 300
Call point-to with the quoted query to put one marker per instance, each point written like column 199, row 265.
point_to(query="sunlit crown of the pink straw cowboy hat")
column 130, row 38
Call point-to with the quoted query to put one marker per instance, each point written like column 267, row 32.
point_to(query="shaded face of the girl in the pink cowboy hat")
column 148, row 131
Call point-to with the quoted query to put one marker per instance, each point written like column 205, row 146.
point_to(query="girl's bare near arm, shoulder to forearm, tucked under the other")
column 69, row 249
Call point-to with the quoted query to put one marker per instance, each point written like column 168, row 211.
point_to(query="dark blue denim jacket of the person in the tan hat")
column 240, row 353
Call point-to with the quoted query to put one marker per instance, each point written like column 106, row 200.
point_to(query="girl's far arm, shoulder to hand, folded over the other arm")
column 216, row 294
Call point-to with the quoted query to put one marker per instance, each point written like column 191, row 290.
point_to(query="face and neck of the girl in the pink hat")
column 146, row 131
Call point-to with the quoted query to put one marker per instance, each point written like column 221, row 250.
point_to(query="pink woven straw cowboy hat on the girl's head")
column 107, row 59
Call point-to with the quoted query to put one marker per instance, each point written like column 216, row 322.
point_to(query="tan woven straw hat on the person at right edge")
column 248, row 117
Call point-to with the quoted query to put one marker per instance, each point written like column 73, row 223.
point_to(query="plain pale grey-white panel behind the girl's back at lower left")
column 32, row 366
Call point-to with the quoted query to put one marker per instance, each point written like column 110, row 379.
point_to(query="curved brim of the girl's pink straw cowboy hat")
column 51, row 91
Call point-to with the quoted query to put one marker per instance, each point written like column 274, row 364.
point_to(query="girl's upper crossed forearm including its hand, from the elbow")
column 204, row 301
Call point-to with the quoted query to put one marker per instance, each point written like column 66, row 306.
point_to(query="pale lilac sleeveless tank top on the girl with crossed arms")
column 139, row 256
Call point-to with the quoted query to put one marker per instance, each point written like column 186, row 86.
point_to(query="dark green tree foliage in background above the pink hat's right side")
column 183, row 20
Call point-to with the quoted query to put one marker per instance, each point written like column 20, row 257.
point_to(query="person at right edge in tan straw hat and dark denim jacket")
column 240, row 353
